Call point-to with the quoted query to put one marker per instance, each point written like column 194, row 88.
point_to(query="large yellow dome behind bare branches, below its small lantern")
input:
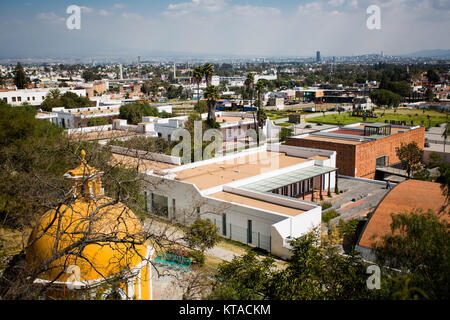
column 111, row 232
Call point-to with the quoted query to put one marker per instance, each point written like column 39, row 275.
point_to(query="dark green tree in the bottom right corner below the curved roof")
column 418, row 245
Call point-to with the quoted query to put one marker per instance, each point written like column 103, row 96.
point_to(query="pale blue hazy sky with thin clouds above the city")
column 222, row 27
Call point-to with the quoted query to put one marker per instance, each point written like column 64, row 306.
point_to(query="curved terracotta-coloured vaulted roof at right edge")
column 405, row 197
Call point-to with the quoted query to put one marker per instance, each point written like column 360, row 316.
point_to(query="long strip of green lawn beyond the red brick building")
column 417, row 116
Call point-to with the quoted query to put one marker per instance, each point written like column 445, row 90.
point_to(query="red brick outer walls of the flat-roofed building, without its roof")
column 360, row 160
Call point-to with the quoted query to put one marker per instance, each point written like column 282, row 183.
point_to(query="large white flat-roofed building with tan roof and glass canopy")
column 255, row 196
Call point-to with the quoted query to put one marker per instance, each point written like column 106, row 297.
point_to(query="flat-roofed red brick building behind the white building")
column 358, row 158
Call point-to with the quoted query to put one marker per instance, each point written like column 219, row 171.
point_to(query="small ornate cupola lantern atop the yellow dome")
column 86, row 180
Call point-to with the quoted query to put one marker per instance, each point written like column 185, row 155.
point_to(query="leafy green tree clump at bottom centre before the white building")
column 315, row 271
